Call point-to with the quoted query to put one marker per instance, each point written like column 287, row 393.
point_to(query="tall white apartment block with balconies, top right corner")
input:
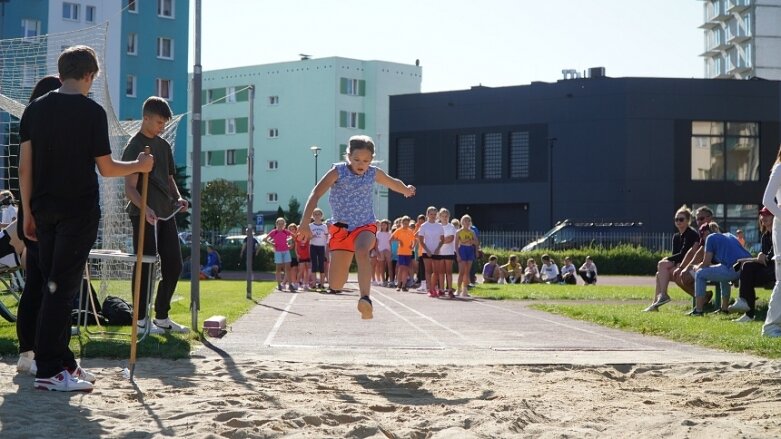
column 742, row 39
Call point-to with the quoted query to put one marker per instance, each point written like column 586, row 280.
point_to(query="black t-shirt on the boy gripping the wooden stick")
column 67, row 131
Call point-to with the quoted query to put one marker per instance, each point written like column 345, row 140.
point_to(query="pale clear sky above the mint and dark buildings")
column 461, row 43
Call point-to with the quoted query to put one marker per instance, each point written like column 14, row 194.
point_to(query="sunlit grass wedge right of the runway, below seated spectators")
column 714, row 331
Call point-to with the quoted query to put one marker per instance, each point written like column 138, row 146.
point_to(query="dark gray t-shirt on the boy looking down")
column 159, row 196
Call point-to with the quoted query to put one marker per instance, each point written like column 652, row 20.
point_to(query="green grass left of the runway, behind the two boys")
column 218, row 297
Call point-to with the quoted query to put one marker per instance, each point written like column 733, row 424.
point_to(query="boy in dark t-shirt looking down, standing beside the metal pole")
column 163, row 202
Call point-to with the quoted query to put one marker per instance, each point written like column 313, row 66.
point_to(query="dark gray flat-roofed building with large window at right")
column 524, row 157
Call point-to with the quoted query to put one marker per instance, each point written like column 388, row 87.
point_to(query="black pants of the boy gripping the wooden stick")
column 63, row 244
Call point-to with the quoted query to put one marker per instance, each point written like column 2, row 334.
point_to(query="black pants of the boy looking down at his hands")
column 170, row 264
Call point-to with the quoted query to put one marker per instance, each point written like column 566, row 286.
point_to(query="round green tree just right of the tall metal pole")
column 222, row 205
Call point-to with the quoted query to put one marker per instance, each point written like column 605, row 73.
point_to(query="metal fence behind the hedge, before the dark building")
column 515, row 240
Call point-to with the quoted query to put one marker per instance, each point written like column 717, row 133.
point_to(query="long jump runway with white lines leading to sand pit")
column 411, row 328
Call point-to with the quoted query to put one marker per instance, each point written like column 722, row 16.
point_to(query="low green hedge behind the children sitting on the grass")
column 625, row 259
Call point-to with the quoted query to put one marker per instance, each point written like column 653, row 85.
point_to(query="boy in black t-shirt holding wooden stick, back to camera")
column 63, row 135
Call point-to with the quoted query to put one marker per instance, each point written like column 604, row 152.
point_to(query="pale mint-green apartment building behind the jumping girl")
column 299, row 104
